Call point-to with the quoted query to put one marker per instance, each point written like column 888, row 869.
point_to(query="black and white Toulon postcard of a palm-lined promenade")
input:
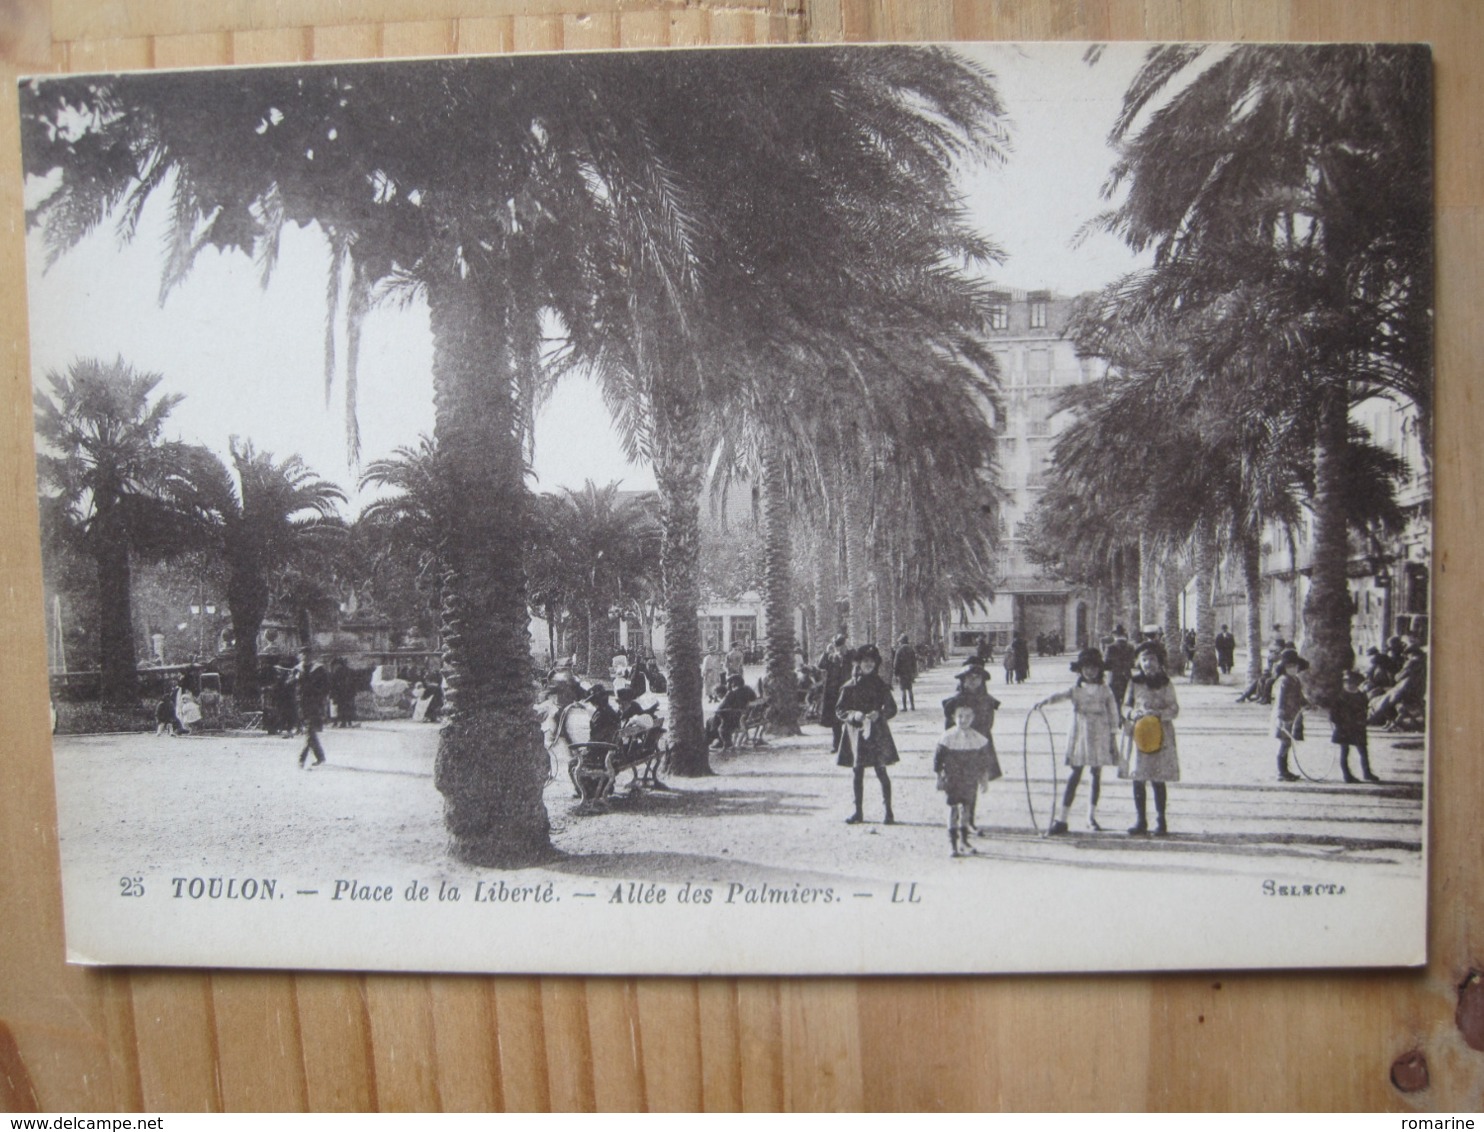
column 764, row 511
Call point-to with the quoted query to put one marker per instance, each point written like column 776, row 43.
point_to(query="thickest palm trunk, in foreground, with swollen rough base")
column 490, row 768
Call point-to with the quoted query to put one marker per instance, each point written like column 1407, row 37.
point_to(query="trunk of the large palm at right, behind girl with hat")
column 1329, row 608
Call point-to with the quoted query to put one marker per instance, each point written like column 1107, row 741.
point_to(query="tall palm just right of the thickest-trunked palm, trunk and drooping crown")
column 845, row 197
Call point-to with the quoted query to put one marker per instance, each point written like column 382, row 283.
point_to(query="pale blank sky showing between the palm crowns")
column 250, row 358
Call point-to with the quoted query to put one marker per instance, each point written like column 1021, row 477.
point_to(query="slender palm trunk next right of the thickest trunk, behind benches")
column 680, row 477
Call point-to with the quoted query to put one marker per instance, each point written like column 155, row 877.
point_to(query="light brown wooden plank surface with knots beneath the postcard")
column 75, row 1039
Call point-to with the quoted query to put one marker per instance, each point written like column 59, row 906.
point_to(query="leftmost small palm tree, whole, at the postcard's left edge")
column 121, row 486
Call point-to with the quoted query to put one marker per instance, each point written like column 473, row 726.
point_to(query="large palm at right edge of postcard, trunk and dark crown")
column 1298, row 183
